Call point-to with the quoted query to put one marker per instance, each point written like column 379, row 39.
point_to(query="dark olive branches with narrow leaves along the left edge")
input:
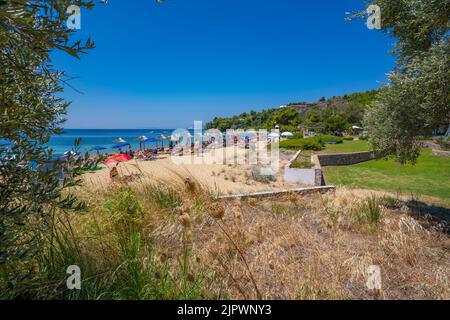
column 31, row 111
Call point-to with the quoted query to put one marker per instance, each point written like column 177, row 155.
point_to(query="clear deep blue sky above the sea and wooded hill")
column 164, row 66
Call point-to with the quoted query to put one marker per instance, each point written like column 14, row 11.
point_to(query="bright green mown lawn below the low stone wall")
column 430, row 176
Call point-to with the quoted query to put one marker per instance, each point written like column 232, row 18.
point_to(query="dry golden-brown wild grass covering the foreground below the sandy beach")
column 293, row 247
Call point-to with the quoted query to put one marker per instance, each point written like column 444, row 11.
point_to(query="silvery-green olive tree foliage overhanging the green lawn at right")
column 416, row 99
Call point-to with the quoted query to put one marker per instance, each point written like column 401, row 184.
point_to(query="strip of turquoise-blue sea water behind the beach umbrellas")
column 104, row 137
